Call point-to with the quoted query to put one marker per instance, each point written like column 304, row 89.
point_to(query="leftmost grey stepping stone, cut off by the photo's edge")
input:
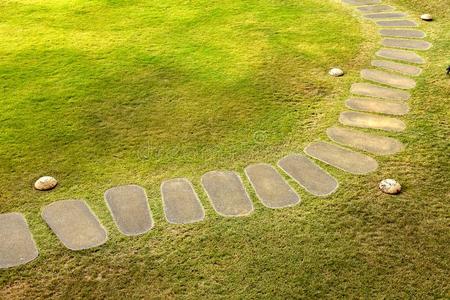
column 17, row 246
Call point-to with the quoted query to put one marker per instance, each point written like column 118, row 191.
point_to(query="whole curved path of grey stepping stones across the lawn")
column 382, row 91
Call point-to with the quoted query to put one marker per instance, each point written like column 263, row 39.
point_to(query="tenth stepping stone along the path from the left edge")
column 364, row 120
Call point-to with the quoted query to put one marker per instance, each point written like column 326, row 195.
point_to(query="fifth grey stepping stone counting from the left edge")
column 227, row 193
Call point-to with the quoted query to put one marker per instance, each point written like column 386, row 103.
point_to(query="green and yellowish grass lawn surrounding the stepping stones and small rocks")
column 108, row 92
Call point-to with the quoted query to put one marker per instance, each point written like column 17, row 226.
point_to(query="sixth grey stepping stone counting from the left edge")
column 270, row 186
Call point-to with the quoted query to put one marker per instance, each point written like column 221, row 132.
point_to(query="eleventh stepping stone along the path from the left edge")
column 396, row 108
